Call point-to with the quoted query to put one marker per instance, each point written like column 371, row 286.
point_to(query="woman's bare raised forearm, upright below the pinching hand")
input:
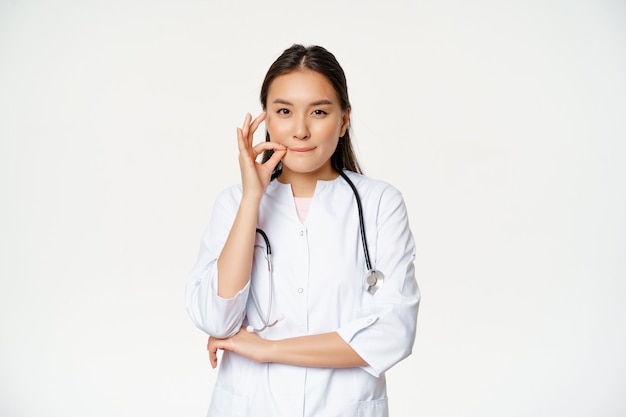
column 235, row 260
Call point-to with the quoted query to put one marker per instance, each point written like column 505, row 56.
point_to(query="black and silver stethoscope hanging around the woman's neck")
column 373, row 279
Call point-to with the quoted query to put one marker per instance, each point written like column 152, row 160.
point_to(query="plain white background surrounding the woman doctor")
column 503, row 124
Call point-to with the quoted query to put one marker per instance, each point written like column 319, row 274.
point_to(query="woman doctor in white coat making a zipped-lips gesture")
column 302, row 331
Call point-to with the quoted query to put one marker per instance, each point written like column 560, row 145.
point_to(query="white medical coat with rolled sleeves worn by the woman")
column 318, row 286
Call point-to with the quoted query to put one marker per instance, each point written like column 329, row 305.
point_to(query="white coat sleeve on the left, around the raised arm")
column 211, row 313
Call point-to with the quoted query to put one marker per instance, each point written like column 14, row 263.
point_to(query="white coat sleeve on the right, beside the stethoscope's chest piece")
column 384, row 331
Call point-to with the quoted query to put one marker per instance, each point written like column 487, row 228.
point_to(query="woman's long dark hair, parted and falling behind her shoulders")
column 318, row 59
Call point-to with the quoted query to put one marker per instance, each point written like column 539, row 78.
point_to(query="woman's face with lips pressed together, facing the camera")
column 304, row 114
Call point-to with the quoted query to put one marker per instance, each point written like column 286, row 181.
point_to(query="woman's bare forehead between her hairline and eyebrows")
column 303, row 85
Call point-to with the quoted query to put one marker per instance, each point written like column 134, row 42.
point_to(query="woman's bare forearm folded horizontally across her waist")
column 327, row 350
